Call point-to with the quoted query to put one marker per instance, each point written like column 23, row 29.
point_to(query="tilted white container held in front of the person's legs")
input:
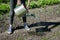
column 20, row 10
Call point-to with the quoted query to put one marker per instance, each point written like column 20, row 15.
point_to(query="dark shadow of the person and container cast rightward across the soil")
column 46, row 24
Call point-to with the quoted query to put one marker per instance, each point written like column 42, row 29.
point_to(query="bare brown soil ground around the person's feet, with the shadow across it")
column 44, row 17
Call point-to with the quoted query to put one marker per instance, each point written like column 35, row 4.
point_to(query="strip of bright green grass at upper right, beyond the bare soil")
column 41, row 3
